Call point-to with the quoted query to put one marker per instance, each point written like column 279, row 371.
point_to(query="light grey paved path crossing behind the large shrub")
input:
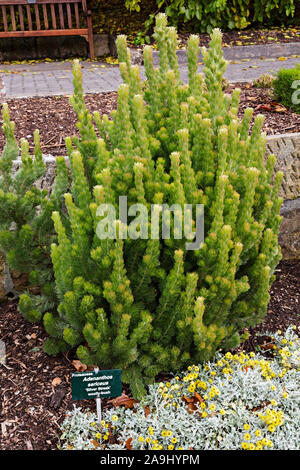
column 55, row 78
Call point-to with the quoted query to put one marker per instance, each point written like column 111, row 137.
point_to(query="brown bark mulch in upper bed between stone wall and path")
column 55, row 118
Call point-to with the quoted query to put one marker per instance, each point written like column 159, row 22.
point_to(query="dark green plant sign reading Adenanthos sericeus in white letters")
column 96, row 384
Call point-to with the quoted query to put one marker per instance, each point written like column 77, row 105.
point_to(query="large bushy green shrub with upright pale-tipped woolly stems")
column 149, row 305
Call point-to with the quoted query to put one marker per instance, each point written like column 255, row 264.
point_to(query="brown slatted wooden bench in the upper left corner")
column 30, row 18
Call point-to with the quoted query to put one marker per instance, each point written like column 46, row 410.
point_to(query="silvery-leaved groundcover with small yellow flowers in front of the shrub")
column 237, row 401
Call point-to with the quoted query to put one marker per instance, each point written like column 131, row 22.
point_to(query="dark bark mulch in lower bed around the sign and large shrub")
column 35, row 389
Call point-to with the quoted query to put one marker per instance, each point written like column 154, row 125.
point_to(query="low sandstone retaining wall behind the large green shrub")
column 287, row 149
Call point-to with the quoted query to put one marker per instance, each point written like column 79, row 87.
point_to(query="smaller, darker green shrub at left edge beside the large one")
column 26, row 228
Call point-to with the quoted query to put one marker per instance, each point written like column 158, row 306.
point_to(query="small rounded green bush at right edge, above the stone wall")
column 286, row 88
